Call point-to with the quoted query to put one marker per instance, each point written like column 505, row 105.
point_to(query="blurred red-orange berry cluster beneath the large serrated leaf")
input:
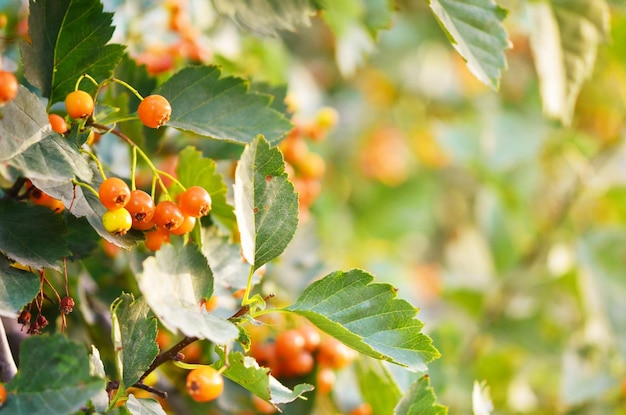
column 299, row 351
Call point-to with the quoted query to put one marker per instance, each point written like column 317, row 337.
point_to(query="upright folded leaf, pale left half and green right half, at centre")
column 266, row 203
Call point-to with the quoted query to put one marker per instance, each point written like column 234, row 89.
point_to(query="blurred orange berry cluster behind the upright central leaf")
column 305, row 167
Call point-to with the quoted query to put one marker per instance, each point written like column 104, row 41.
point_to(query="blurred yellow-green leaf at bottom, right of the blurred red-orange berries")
column 377, row 385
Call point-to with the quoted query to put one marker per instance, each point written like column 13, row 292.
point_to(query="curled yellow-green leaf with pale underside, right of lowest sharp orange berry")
column 245, row 371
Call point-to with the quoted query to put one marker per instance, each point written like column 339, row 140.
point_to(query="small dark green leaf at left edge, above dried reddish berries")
column 17, row 288
